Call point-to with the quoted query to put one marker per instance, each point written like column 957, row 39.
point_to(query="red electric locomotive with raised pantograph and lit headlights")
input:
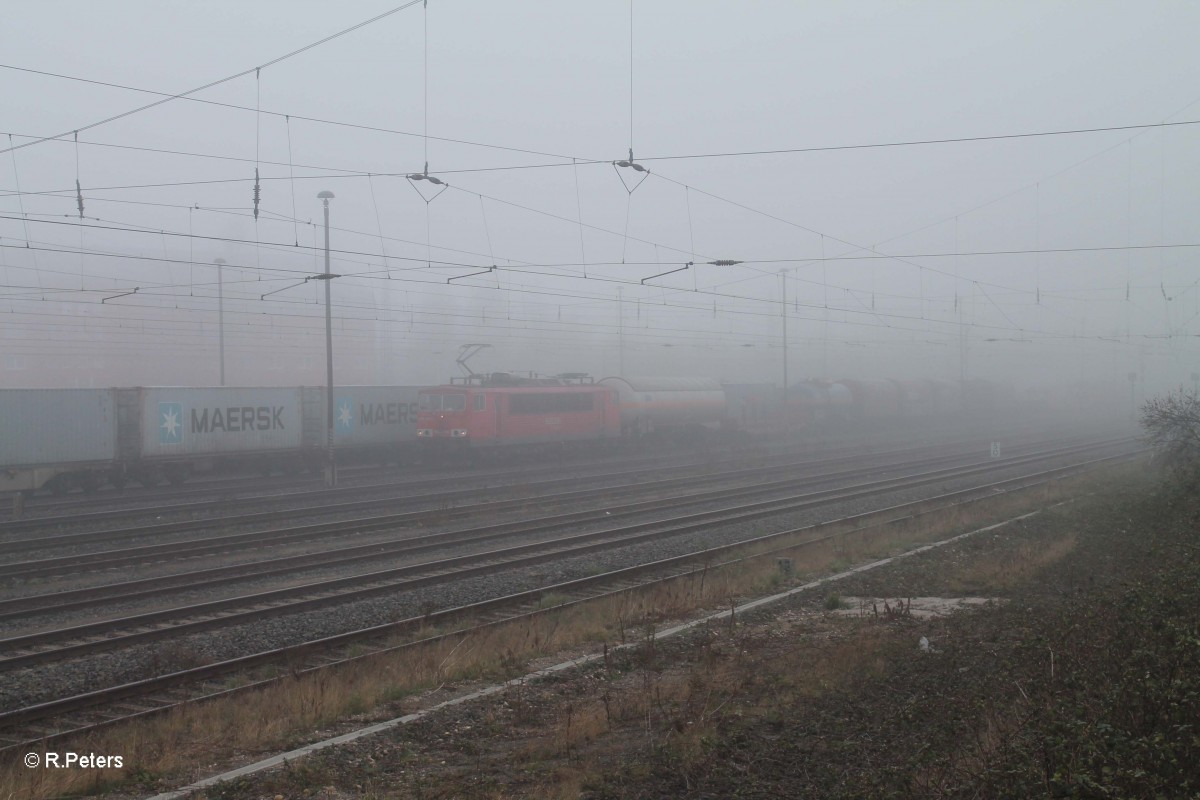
column 505, row 410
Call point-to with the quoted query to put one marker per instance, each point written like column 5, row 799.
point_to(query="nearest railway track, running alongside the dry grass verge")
column 44, row 723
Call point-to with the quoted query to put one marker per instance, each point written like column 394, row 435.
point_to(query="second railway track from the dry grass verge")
column 82, row 640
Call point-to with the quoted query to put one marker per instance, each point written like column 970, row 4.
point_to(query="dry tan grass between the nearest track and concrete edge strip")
column 202, row 738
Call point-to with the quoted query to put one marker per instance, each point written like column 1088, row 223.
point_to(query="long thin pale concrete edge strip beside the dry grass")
column 292, row 755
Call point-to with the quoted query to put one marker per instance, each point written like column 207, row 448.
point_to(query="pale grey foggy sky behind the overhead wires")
column 913, row 191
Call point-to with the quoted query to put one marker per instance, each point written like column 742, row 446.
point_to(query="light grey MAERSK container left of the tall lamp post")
column 182, row 422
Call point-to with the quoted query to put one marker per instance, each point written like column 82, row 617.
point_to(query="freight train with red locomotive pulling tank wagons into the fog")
column 489, row 412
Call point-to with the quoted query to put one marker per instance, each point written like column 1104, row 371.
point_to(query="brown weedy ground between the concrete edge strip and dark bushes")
column 523, row 743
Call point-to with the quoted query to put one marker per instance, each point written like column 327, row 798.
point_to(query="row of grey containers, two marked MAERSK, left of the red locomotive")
column 82, row 438
